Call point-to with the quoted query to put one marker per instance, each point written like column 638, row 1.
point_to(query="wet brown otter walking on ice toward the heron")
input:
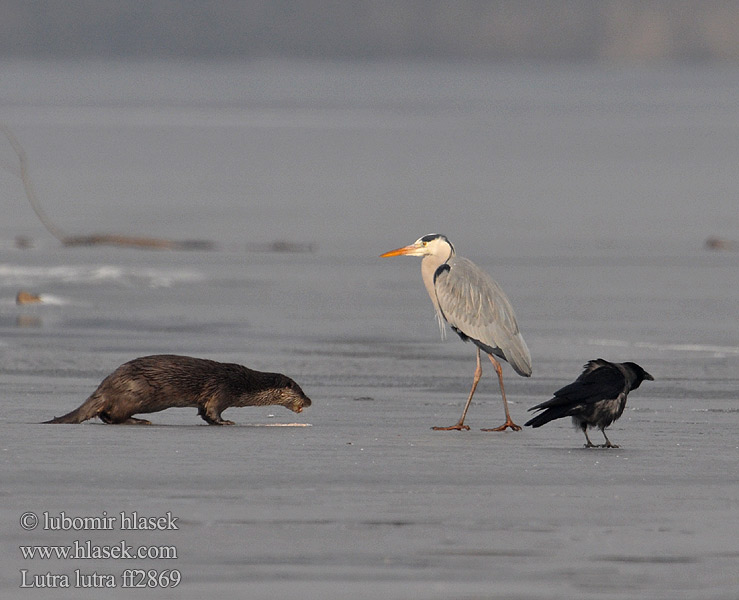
column 153, row 383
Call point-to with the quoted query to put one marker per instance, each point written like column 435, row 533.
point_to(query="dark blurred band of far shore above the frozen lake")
column 604, row 30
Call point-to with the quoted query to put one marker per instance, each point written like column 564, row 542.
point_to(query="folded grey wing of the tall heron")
column 475, row 305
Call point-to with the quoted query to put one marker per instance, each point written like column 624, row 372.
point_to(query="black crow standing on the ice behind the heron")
column 595, row 399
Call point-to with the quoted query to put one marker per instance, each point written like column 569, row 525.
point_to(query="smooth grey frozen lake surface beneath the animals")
column 588, row 194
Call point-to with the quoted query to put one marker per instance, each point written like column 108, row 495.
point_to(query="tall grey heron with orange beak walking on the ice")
column 475, row 307
